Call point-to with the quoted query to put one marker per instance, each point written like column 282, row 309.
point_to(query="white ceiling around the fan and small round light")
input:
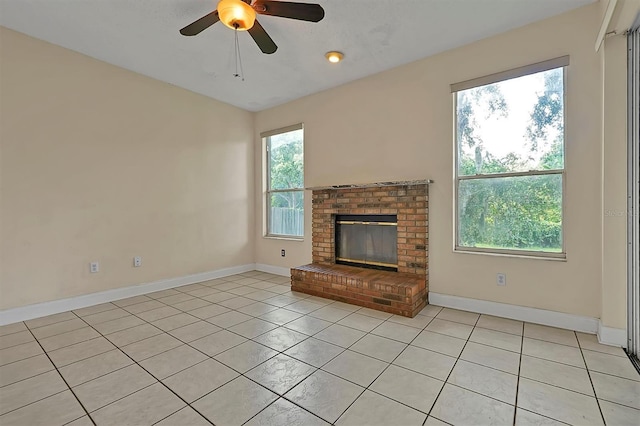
column 375, row 35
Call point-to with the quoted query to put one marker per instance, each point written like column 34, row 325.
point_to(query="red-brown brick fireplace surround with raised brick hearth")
column 404, row 292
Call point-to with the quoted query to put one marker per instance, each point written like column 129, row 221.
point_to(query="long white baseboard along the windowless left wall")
column 38, row 310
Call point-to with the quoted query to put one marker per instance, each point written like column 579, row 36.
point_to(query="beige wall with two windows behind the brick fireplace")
column 398, row 126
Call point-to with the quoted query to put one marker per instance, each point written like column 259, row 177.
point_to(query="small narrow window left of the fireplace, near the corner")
column 285, row 182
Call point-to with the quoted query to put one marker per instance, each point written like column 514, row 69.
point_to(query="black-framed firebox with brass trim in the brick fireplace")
column 368, row 241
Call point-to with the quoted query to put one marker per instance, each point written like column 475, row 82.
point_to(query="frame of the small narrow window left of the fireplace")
column 266, row 142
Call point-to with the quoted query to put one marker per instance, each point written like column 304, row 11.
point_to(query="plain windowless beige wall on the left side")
column 99, row 163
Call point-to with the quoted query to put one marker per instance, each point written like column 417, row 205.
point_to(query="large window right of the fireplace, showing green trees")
column 510, row 161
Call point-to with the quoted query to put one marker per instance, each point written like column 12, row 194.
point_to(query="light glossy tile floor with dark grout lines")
column 247, row 350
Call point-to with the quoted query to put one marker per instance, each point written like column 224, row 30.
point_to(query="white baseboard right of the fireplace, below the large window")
column 521, row 313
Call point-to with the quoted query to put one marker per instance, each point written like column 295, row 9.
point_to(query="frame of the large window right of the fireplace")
column 562, row 62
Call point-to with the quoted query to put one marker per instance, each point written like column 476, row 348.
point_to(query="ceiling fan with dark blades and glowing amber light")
column 240, row 15
